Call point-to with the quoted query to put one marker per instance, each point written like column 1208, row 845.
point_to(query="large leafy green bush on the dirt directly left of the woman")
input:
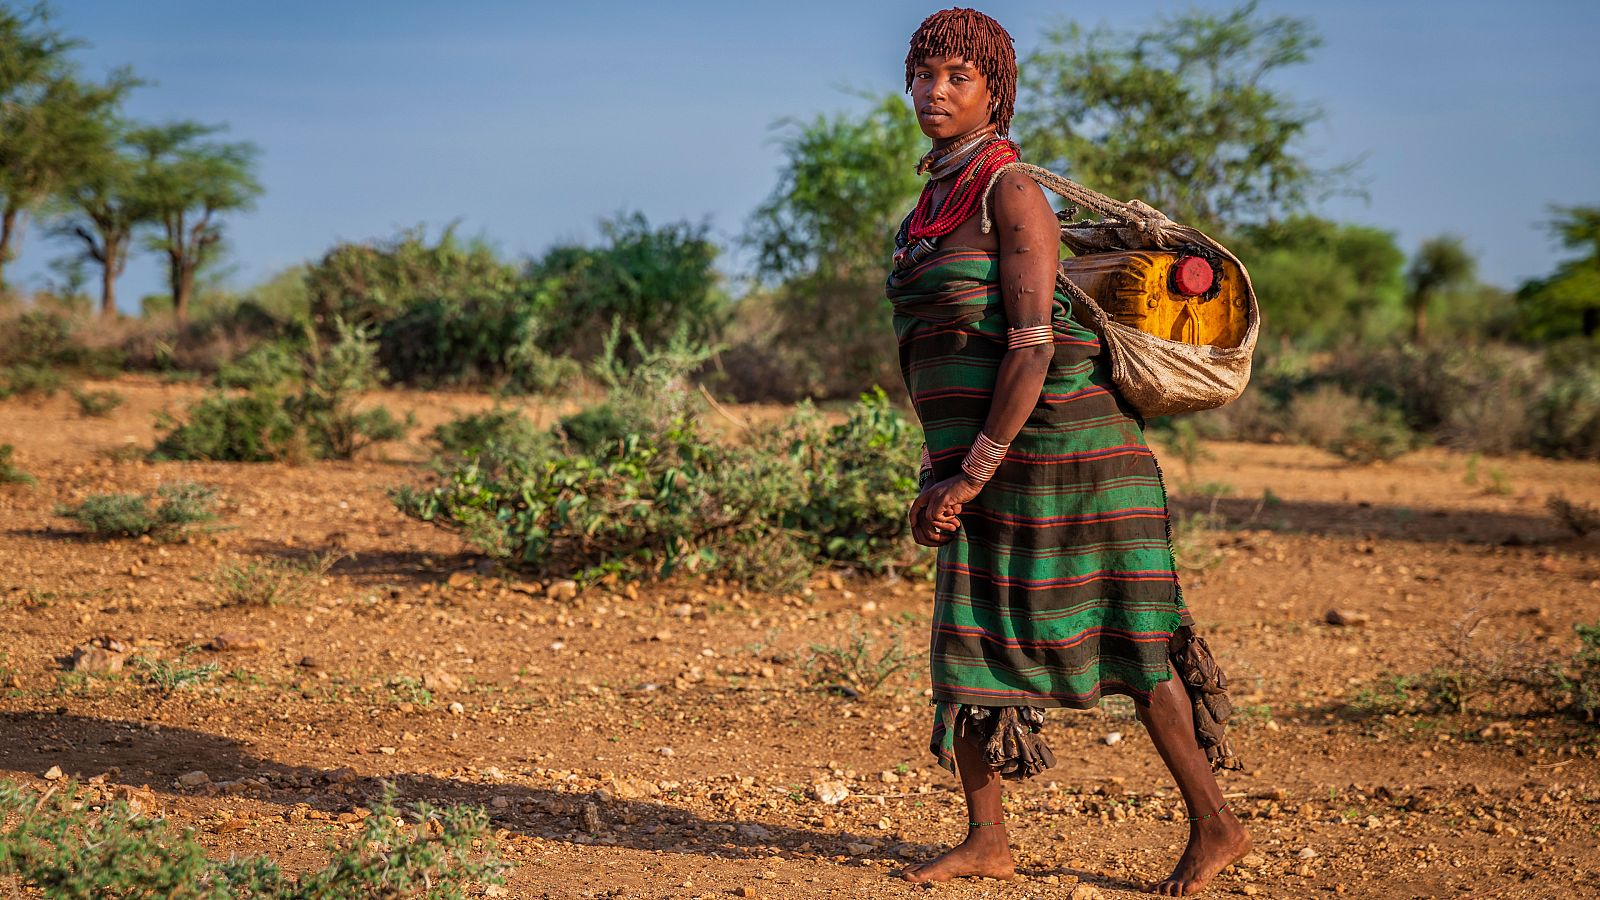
column 639, row 488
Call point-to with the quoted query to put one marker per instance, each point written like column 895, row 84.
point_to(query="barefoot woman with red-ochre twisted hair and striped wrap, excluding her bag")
column 1055, row 577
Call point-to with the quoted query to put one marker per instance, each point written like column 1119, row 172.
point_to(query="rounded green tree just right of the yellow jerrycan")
column 1322, row 283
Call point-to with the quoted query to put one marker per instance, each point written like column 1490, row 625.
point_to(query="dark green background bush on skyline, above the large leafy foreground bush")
column 657, row 283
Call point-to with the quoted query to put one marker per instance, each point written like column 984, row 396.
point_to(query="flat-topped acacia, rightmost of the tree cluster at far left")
column 190, row 182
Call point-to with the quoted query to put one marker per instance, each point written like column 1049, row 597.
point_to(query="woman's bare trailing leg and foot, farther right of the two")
column 1217, row 840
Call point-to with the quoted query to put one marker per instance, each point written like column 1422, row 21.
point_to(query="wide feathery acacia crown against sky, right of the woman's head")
column 1182, row 116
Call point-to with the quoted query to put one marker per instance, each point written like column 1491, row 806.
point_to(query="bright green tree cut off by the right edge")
column 1567, row 303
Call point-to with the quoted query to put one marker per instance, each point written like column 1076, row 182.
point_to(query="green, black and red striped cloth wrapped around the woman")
column 1060, row 585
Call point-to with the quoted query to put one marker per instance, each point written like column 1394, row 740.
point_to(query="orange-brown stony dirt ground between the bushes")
column 668, row 741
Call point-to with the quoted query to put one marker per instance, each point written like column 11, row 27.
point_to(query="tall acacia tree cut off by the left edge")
column 50, row 123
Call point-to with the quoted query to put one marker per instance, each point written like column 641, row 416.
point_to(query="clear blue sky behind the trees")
column 529, row 123
